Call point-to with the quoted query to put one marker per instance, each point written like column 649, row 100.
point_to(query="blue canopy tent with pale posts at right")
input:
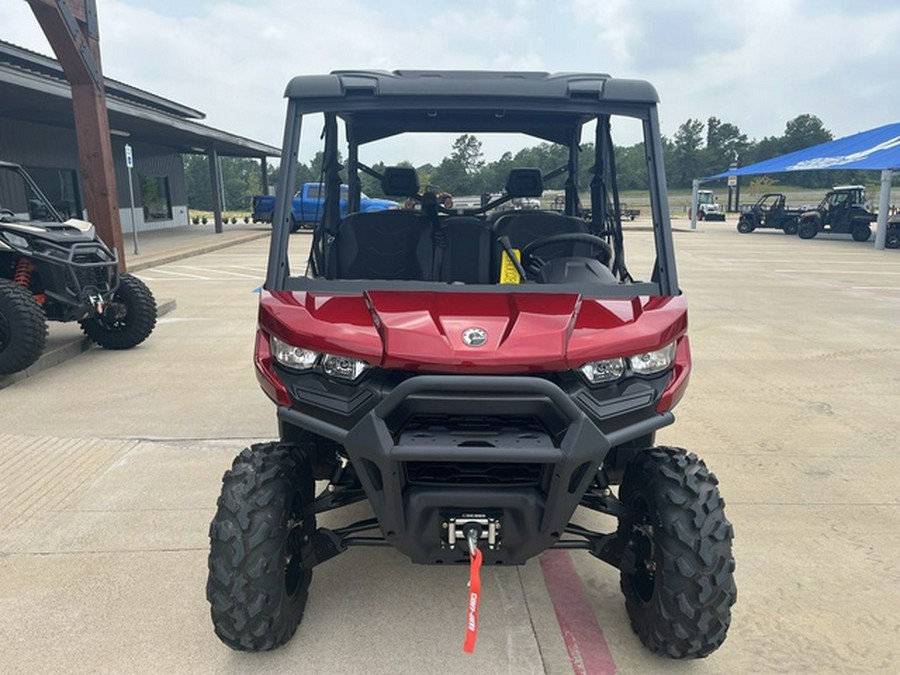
column 875, row 150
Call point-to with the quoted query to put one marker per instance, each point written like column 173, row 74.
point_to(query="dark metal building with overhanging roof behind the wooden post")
column 37, row 130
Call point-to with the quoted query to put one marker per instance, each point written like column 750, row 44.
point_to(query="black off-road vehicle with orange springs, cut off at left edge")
column 59, row 270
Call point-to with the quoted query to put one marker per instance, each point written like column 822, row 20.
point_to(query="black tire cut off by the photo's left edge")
column 23, row 328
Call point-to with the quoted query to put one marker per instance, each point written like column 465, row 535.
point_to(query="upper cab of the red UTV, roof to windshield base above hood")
column 544, row 215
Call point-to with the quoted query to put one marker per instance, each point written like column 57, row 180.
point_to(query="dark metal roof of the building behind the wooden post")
column 33, row 88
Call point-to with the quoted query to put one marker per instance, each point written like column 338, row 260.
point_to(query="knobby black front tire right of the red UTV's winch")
column 681, row 589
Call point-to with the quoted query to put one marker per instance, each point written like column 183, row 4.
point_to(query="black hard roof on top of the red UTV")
column 545, row 105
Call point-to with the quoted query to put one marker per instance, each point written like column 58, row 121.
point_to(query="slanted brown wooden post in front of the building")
column 72, row 30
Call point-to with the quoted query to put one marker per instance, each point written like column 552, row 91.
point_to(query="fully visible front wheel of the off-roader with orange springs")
column 128, row 320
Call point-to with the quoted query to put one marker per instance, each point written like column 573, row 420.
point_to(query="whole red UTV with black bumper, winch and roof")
column 479, row 380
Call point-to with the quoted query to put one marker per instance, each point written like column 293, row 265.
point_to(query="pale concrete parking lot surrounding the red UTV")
column 110, row 464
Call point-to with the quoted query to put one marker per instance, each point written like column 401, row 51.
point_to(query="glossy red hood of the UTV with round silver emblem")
column 526, row 332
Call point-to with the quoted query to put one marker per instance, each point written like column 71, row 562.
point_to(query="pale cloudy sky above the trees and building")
column 753, row 63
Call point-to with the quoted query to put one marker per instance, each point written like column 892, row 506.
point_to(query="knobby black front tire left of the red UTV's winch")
column 257, row 586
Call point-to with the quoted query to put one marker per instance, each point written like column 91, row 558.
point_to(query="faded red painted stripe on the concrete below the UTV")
column 584, row 640
